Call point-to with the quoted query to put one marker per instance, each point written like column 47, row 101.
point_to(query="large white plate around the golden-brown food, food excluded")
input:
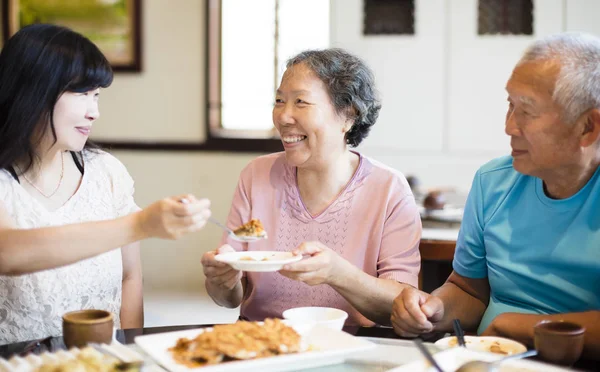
column 329, row 347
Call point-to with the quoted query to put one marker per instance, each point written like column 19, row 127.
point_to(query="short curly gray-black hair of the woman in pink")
column 351, row 85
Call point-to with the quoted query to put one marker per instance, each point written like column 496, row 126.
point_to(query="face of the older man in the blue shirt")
column 542, row 144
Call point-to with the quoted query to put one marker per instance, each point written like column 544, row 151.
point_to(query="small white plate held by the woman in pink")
column 257, row 260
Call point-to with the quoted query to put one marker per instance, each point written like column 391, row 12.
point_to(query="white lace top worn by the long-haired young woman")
column 32, row 305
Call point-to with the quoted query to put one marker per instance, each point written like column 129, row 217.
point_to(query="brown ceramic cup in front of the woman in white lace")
column 87, row 326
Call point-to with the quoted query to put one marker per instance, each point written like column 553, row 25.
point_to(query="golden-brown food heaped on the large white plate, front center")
column 241, row 340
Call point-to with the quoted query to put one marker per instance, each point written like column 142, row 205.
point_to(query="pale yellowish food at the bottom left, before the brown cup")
column 87, row 359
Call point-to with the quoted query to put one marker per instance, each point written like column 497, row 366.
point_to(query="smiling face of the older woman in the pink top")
column 311, row 130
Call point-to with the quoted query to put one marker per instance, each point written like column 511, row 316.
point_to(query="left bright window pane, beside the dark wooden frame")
column 247, row 55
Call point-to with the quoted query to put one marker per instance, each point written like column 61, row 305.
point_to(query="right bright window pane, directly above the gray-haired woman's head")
column 303, row 24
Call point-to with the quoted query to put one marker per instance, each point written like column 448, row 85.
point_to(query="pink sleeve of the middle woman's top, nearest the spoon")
column 241, row 208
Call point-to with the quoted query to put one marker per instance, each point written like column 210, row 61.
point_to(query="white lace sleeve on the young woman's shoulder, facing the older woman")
column 122, row 187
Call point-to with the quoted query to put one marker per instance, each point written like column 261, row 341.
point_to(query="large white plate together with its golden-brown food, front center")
column 243, row 346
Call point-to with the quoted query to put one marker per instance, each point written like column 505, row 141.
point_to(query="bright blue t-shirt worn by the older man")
column 540, row 255
